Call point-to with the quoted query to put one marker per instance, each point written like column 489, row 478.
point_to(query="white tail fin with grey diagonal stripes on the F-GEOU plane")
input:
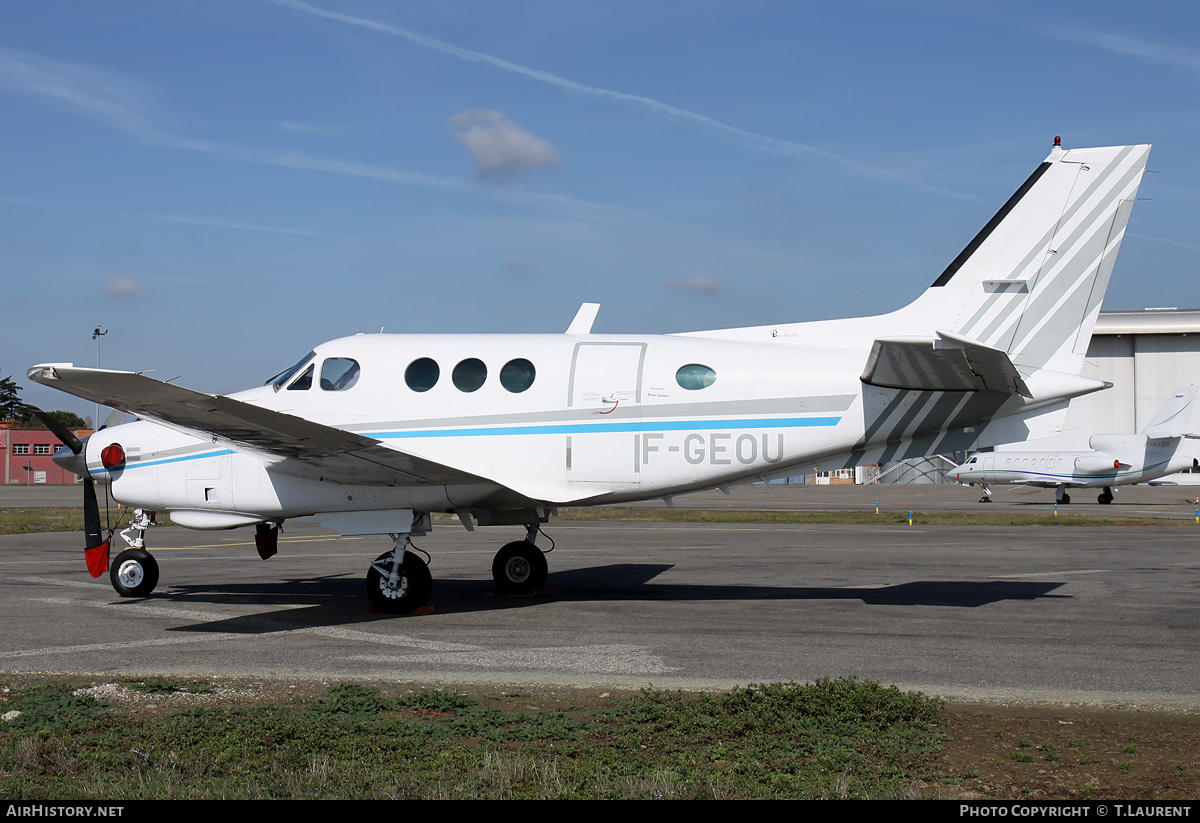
column 1033, row 281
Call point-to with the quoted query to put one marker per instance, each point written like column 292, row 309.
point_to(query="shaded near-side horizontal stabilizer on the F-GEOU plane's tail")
column 947, row 364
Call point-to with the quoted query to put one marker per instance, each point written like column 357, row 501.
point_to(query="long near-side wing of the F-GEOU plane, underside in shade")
column 301, row 447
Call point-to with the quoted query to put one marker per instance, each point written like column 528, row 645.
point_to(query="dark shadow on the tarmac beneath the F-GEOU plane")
column 340, row 600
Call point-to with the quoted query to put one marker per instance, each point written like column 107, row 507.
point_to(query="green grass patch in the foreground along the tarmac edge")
column 827, row 740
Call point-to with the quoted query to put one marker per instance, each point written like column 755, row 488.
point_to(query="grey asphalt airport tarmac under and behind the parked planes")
column 1099, row 616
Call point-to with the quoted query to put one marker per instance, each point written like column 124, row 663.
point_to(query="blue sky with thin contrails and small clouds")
column 224, row 184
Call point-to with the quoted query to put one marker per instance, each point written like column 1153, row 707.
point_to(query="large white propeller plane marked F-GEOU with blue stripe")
column 371, row 434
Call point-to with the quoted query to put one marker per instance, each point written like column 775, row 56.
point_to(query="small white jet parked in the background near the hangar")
column 1163, row 448
